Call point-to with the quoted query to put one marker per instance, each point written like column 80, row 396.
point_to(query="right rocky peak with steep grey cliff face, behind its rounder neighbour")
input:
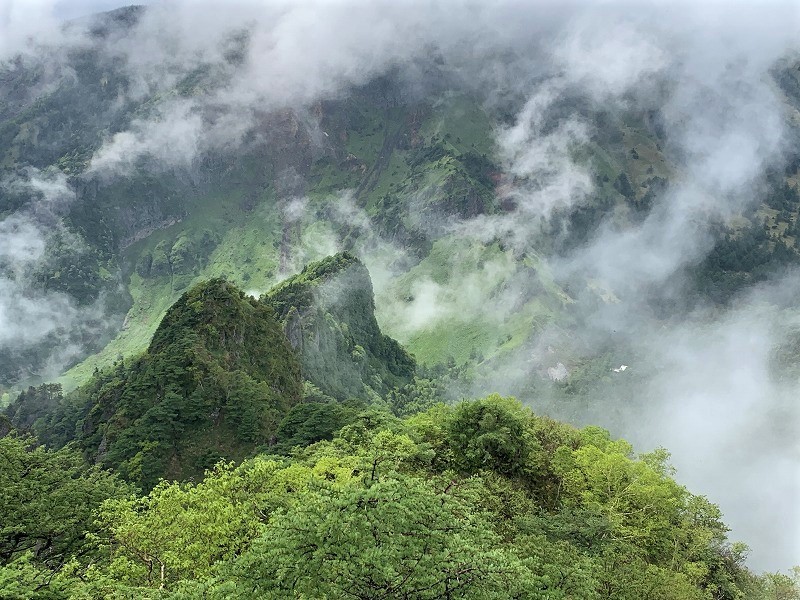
column 328, row 314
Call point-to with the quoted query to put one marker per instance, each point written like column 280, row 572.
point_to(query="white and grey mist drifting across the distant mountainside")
column 704, row 70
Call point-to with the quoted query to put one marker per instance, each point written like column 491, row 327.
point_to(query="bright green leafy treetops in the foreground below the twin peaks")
column 483, row 499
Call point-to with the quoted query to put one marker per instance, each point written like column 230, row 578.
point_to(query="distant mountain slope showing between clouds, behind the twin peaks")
column 386, row 173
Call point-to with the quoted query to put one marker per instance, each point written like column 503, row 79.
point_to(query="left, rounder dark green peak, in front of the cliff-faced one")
column 215, row 382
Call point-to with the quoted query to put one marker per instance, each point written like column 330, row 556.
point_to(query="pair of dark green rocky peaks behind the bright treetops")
column 222, row 373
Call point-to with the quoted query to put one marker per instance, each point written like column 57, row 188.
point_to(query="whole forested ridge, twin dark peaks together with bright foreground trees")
column 308, row 495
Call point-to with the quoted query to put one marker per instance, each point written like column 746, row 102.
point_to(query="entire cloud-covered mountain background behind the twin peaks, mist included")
column 530, row 184
